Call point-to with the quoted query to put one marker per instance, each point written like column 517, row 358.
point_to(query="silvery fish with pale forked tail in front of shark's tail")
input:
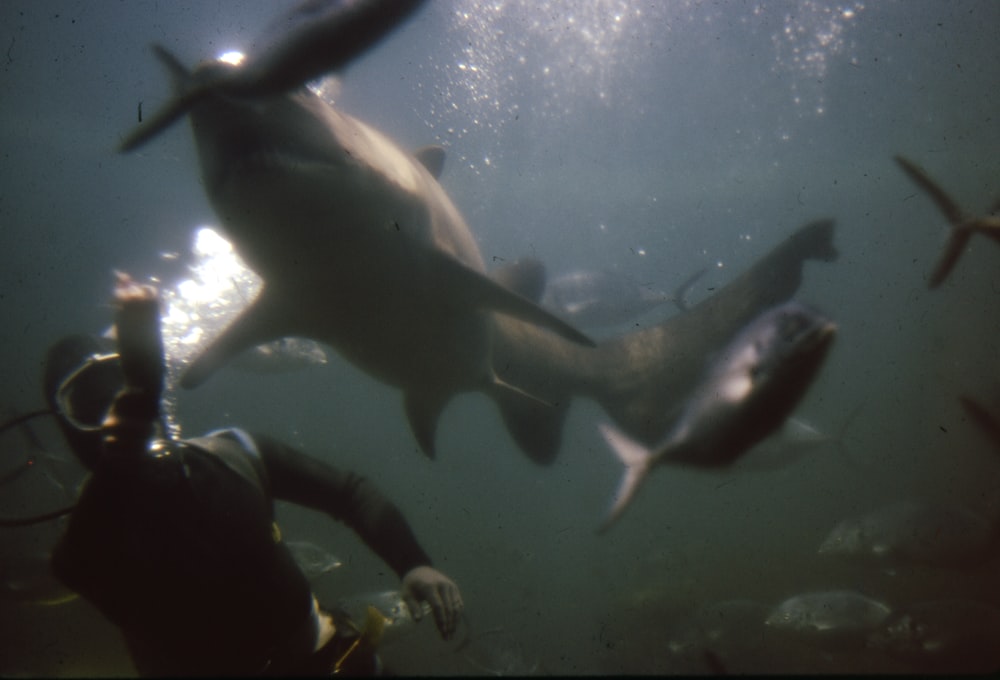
column 747, row 393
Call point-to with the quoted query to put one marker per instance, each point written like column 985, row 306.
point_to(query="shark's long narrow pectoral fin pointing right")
column 481, row 291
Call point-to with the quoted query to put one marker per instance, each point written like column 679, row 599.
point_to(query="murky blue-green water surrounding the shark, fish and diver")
column 675, row 136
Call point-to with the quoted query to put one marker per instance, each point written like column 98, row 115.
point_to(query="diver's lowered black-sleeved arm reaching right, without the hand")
column 349, row 497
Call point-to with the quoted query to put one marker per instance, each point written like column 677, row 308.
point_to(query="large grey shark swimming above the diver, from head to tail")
column 359, row 247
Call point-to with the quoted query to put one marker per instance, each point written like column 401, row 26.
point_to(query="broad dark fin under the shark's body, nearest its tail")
column 535, row 424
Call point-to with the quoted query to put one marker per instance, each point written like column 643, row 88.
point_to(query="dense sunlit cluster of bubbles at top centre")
column 555, row 52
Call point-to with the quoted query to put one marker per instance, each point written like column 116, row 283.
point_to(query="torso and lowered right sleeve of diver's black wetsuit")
column 180, row 550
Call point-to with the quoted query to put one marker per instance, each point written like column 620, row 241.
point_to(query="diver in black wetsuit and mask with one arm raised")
column 174, row 541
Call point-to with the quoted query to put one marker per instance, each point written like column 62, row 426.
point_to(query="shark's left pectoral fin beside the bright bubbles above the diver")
column 265, row 319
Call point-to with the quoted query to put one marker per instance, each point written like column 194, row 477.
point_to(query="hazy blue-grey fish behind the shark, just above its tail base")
column 591, row 299
